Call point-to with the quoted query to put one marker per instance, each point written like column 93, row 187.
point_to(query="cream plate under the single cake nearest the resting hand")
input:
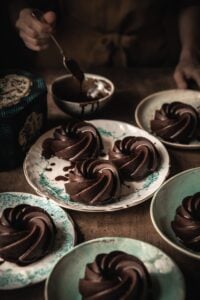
column 145, row 110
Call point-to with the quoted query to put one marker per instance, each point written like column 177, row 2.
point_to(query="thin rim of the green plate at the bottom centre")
column 115, row 238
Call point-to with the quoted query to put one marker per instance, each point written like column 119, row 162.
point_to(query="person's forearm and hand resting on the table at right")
column 188, row 67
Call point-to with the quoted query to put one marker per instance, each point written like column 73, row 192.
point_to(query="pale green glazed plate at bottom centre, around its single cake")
column 167, row 280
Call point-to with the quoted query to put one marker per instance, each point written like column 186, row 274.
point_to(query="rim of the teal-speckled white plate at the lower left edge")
column 74, row 233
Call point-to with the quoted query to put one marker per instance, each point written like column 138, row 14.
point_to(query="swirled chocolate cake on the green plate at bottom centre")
column 116, row 275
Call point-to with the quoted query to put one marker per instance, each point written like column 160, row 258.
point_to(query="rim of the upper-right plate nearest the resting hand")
column 167, row 143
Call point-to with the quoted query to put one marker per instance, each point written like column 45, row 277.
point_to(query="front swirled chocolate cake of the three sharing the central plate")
column 93, row 182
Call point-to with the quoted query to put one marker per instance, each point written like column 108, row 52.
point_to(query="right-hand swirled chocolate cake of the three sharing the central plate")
column 135, row 157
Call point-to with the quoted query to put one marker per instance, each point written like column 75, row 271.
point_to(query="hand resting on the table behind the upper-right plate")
column 186, row 70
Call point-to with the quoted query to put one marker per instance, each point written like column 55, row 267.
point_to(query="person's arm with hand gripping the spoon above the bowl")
column 35, row 34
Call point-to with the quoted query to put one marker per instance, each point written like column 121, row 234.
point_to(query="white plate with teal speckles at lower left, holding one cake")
column 13, row 276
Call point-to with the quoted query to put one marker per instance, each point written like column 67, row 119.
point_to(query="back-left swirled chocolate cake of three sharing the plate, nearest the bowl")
column 77, row 140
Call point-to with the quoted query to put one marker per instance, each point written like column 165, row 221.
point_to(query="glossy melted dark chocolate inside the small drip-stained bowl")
column 92, row 89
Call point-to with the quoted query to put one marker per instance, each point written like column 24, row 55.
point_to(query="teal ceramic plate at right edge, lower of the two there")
column 166, row 201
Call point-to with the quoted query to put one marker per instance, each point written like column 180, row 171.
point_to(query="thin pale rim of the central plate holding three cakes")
column 98, row 209
